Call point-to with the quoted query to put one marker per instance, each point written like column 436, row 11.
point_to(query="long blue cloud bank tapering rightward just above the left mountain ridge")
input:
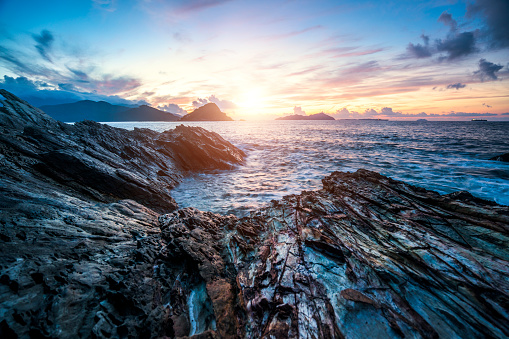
column 39, row 93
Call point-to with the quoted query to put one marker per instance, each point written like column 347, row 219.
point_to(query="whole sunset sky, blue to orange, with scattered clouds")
column 433, row 59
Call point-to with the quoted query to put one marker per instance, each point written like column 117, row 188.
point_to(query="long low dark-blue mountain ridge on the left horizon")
column 104, row 111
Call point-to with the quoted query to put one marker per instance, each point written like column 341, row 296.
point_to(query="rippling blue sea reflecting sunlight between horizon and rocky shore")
column 287, row 157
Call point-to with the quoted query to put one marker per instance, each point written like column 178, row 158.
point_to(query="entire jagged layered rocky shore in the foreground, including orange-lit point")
column 93, row 245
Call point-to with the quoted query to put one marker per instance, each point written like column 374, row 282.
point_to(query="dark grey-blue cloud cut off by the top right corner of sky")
column 495, row 14
